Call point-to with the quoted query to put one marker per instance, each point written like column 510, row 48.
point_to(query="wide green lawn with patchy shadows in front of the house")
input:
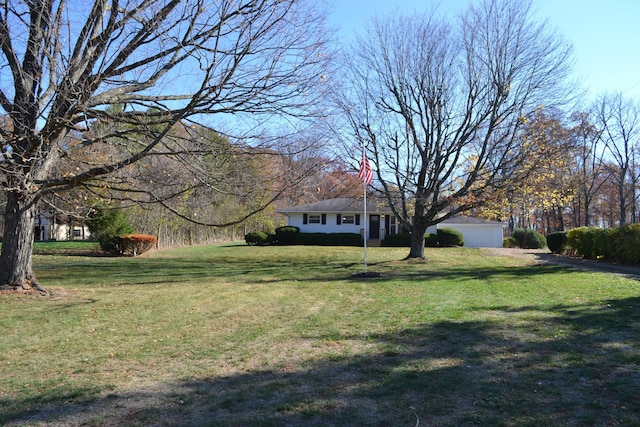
column 233, row 335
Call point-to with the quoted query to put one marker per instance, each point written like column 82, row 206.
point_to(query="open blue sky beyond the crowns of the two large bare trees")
column 604, row 33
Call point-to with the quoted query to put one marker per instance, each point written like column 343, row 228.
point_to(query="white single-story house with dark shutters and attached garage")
column 346, row 215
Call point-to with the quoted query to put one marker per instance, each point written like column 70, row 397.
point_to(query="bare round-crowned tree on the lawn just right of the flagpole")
column 439, row 104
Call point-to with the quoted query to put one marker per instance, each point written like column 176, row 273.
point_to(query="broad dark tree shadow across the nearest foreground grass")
column 566, row 365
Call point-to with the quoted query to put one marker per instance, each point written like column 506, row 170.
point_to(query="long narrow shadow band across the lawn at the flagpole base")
column 151, row 271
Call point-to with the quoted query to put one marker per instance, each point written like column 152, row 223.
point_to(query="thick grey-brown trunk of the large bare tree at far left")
column 17, row 245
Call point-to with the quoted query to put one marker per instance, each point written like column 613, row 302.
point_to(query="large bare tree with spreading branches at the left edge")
column 65, row 64
